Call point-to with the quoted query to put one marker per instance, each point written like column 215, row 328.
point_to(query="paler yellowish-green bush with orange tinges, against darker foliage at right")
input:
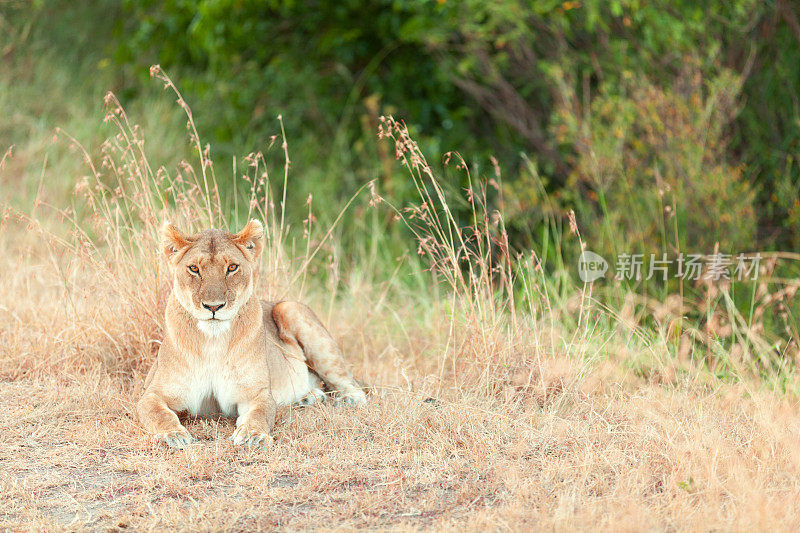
column 651, row 173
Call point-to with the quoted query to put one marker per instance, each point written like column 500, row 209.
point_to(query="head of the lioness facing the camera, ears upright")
column 213, row 271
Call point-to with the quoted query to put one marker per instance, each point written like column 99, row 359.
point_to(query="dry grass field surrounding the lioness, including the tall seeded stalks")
column 485, row 411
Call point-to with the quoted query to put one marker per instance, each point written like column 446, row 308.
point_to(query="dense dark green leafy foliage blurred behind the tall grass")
column 494, row 78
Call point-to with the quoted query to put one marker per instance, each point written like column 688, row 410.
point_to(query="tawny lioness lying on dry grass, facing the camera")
column 225, row 351
